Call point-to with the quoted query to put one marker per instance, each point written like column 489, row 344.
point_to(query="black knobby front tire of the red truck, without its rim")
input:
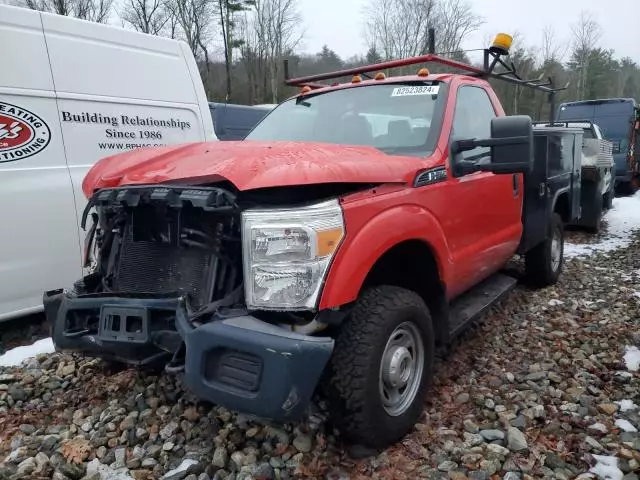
column 352, row 387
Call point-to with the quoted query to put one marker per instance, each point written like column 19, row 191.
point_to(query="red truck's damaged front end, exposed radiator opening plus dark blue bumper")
column 166, row 287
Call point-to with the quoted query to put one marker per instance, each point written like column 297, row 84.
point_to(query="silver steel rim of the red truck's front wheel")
column 401, row 369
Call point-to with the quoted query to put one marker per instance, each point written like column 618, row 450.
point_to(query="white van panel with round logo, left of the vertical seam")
column 39, row 247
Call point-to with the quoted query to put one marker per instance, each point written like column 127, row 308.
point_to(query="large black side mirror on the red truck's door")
column 511, row 145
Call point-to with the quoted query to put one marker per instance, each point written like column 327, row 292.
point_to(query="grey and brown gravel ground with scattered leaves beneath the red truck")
column 539, row 390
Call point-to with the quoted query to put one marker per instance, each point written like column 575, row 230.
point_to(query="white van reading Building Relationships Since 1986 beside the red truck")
column 72, row 92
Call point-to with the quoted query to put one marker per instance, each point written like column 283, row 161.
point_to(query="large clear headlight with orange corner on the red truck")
column 287, row 253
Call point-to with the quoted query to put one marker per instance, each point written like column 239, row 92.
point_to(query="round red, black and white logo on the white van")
column 22, row 133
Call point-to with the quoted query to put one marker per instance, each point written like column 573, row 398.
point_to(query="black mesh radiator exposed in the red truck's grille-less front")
column 154, row 267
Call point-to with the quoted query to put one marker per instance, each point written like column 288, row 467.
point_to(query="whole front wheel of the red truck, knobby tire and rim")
column 381, row 367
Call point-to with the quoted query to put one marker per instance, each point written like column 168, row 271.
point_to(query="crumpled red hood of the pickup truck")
column 250, row 164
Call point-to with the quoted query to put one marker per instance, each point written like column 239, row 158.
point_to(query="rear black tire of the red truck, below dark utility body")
column 540, row 270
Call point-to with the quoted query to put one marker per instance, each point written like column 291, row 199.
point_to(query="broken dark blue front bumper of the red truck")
column 239, row 362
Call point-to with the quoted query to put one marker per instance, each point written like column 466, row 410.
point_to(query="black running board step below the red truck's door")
column 469, row 306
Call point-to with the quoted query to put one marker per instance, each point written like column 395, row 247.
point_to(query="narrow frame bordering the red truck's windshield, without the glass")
column 420, row 151
